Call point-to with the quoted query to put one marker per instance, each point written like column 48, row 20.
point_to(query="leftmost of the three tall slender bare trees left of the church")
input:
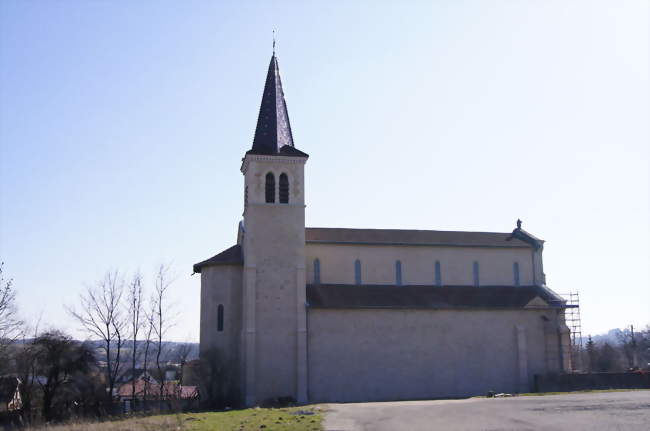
column 102, row 316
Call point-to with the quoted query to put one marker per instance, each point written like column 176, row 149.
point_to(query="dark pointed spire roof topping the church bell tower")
column 273, row 128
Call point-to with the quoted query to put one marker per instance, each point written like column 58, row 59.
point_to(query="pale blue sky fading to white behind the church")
column 122, row 126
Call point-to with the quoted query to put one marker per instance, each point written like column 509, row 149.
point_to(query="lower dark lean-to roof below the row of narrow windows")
column 337, row 296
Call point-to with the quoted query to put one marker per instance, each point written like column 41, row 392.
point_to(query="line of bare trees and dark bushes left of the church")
column 58, row 376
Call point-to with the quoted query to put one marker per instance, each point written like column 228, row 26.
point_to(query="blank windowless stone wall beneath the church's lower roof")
column 380, row 355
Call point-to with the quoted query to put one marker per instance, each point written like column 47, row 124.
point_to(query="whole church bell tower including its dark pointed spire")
column 274, row 337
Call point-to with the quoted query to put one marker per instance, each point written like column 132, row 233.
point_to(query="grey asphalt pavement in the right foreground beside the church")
column 629, row 411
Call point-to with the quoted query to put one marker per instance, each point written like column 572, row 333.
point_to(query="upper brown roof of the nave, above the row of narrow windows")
column 413, row 237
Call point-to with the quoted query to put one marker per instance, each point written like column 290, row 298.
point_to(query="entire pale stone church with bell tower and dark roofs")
column 314, row 314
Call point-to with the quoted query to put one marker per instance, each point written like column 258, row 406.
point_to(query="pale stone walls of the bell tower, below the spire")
column 274, row 283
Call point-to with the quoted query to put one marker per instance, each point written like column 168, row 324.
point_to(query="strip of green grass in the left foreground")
column 257, row 419
